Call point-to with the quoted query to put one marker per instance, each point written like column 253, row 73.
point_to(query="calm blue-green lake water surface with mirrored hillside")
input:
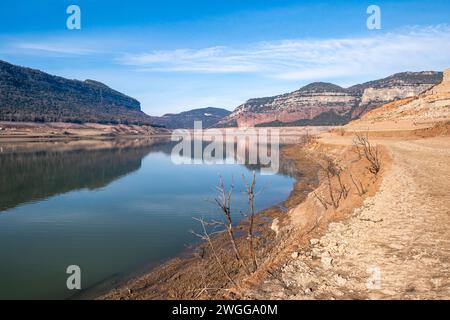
column 110, row 211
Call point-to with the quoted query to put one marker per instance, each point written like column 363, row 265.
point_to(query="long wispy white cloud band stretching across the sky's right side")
column 407, row 49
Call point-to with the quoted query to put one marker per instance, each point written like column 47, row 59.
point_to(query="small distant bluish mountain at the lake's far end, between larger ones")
column 185, row 120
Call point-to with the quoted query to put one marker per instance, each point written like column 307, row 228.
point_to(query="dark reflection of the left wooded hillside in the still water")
column 29, row 175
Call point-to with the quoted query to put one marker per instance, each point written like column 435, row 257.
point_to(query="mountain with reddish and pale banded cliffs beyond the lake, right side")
column 322, row 103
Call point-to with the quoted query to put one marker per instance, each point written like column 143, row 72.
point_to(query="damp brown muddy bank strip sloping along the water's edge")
column 197, row 275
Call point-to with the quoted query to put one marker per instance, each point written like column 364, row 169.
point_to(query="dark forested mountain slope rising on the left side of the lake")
column 31, row 95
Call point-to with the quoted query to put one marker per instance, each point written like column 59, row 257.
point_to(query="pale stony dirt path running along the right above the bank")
column 396, row 246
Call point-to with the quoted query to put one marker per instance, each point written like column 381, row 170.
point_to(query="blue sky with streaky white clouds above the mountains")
column 178, row 55
